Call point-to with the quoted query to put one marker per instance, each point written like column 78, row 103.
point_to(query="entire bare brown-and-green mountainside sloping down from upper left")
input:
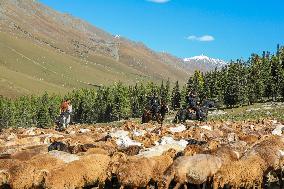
column 69, row 53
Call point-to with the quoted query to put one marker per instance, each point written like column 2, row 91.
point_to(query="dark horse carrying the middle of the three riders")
column 158, row 115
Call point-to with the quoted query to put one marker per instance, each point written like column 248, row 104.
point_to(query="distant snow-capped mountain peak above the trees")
column 203, row 62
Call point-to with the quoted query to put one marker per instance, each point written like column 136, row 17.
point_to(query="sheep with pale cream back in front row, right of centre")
column 191, row 169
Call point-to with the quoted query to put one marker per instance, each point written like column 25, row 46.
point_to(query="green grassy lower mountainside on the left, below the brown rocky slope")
column 29, row 68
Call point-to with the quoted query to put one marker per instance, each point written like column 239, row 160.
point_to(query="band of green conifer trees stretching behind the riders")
column 259, row 79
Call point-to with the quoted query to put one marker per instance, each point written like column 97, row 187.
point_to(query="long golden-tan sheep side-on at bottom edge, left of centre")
column 87, row 171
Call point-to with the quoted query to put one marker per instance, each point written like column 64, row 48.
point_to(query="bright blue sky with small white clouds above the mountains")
column 226, row 29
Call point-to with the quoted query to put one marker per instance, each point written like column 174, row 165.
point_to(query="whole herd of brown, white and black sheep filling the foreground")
column 193, row 155
